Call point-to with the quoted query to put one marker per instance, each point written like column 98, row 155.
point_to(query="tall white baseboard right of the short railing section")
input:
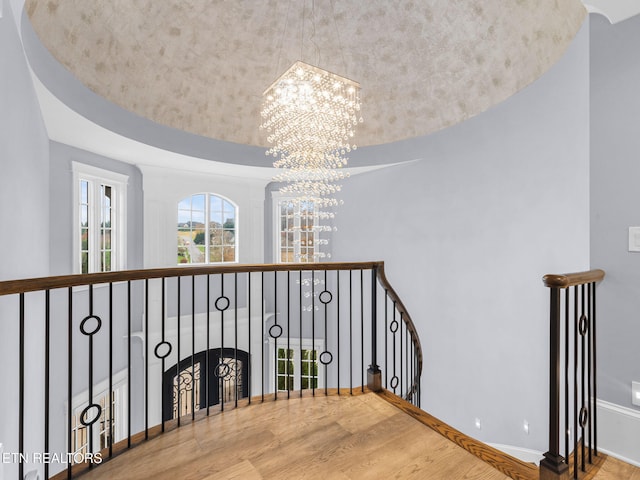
column 619, row 432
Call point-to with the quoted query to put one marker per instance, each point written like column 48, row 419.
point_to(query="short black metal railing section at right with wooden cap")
column 572, row 387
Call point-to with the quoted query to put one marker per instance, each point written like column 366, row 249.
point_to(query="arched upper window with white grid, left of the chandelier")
column 207, row 227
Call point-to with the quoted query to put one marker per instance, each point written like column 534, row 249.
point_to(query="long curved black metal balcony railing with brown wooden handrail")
column 108, row 360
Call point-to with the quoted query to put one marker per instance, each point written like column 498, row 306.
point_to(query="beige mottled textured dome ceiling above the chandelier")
column 201, row 65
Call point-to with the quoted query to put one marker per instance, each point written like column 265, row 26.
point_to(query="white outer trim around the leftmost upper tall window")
column 120, row 183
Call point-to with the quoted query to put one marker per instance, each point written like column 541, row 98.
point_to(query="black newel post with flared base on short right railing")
column 553, row 466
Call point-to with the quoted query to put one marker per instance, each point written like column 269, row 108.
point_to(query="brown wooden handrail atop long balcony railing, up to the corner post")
column 10, row 287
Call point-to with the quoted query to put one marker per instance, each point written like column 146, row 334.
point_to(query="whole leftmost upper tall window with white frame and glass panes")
column 100, row 214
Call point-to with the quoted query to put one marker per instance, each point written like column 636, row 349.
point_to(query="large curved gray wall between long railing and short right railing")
column 468, row 231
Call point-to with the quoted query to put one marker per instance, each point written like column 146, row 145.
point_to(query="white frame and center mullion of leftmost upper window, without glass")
column 118, row 182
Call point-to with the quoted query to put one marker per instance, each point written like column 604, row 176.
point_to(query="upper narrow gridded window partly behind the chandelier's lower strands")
column 298, row 231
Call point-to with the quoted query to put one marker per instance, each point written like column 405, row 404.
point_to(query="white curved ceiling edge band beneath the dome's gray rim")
column 66, row 126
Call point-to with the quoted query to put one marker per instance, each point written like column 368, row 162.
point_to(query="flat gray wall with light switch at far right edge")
column 615, row 200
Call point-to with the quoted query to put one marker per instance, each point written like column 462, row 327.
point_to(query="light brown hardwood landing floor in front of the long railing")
column 332, row 437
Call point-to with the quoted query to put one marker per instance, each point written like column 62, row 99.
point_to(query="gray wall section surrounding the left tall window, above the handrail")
column 61, row 206
